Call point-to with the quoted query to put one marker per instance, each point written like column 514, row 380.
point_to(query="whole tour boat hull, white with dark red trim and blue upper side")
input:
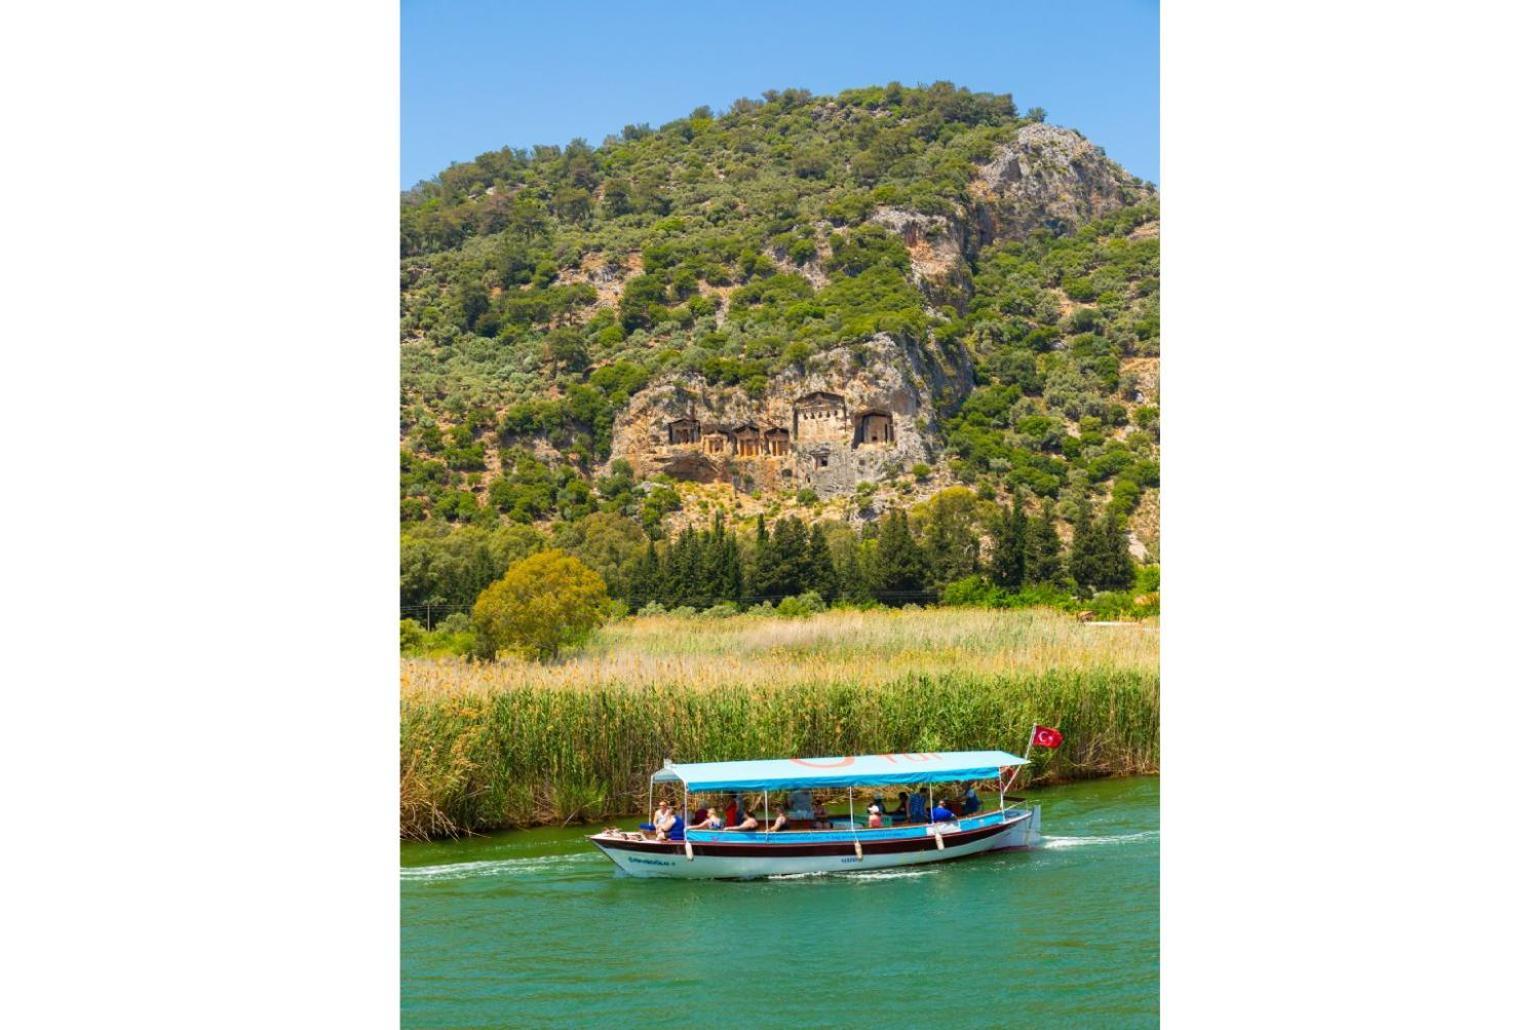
column 757, row 855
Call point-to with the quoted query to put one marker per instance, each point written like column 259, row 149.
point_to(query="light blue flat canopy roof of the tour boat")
column 860, row 771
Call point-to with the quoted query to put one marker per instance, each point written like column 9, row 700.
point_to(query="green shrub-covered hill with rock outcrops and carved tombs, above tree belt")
column 820, row 306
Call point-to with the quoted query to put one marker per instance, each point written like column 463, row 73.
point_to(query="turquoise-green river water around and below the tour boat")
column 535, row 928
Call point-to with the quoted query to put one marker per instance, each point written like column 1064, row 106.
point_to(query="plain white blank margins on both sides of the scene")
column 199, row 740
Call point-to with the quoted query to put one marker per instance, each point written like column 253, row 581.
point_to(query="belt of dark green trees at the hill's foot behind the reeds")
column 954, row 549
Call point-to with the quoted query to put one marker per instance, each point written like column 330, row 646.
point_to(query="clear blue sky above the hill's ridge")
column 478, row 76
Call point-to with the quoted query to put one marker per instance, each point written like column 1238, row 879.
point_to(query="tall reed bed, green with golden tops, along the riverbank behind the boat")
column 517, row 744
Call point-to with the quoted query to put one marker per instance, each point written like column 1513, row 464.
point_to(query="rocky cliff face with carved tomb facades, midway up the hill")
column 868, row 412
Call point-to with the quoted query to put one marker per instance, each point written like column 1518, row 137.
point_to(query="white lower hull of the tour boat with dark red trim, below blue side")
column 1022, row 832
